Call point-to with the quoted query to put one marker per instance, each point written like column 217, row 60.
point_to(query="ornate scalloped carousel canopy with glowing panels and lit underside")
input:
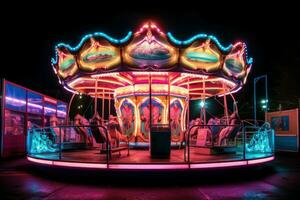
column 200, row 67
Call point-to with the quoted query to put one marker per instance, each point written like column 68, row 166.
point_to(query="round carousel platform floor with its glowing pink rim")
column 141, row 160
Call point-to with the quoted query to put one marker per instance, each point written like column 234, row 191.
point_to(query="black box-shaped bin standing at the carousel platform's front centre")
column 160, row 141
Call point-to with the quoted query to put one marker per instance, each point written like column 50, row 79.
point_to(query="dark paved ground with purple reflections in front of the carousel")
column 277, row 180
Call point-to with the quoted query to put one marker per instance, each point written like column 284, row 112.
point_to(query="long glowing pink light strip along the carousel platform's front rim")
column 151, row 166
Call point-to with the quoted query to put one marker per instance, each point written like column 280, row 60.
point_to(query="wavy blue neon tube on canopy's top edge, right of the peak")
column 199, row 36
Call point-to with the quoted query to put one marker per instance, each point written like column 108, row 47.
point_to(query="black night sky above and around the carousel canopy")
column 271, row 36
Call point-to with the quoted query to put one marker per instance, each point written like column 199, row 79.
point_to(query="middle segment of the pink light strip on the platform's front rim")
column 149, row 166
